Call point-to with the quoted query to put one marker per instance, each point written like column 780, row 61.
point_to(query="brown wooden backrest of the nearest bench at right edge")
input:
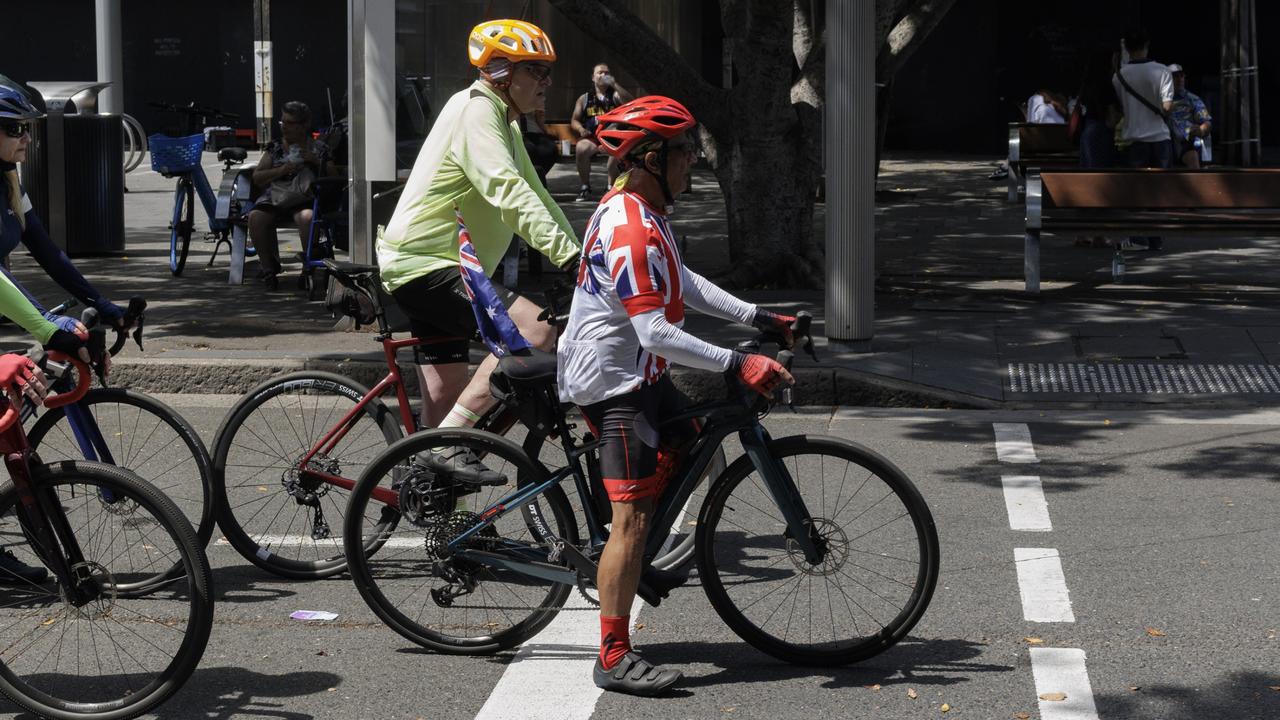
column 1163, row 189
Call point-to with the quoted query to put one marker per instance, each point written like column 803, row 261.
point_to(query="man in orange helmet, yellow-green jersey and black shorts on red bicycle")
column 474, row 165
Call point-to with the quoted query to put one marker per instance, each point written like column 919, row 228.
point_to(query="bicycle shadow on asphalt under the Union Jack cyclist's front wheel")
column 916, row 662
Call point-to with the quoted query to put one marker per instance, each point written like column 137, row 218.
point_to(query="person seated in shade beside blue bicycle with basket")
column 284, row 161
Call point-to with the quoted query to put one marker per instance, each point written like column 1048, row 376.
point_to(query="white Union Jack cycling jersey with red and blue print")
column 629, row 306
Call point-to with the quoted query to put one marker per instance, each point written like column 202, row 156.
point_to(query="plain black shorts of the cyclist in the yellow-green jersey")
column 440, row 313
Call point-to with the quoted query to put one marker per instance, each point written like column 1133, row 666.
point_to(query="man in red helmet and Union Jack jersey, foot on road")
column 624, row 332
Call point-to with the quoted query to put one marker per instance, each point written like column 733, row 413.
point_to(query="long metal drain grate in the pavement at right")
column 1144, row 379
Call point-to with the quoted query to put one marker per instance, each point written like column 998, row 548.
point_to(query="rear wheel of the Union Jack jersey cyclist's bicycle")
column 404, row 569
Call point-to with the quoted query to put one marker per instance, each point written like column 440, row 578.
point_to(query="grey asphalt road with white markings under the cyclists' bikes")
column 1162, row 531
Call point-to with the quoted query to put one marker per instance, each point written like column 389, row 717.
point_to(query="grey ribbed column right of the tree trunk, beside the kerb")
column 849, row 153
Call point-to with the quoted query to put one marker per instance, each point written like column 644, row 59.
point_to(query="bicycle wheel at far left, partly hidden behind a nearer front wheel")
column 148, row 438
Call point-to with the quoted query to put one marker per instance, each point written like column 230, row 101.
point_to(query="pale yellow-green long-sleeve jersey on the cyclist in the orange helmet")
column 474, row 160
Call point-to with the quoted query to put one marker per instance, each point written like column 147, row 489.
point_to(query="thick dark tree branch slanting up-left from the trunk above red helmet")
column 648, row 57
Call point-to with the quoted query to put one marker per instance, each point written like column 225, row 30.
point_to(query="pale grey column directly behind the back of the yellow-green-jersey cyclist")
column 372, row 108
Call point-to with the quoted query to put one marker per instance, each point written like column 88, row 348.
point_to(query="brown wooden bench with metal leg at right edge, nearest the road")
column 1148, row 202
